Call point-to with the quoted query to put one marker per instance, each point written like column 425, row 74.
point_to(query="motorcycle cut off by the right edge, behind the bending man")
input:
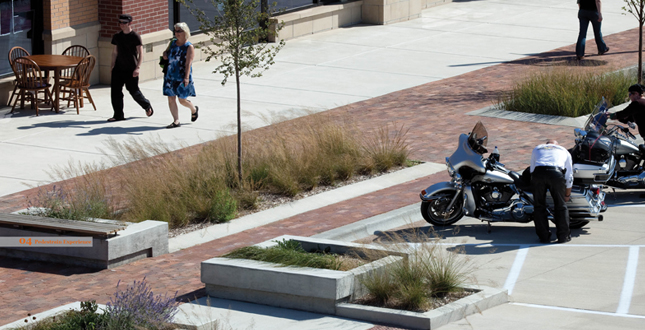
column 599, row 146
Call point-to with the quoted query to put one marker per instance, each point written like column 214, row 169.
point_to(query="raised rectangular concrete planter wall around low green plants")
column 309, row 289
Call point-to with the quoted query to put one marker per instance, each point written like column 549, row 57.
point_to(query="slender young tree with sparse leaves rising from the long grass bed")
column 237, row 31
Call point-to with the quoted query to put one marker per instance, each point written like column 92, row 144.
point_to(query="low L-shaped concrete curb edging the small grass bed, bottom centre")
column 485, row 298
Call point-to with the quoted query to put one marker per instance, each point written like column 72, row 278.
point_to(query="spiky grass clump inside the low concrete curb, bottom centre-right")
column 431, row 277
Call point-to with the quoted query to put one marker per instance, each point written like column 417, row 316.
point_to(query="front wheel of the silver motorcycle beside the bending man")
column 435, row 211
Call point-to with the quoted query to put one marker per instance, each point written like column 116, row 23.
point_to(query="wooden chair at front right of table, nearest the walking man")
column 77, row 88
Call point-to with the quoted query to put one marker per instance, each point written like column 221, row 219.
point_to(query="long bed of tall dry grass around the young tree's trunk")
column 200, row 184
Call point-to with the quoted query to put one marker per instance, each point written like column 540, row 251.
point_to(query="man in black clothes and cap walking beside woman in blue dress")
column 127, row 56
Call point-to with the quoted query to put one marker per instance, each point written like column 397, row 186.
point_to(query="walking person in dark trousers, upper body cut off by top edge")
column 589, row 11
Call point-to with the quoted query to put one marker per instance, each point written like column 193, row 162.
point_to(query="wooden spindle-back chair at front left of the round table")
column 30, row 82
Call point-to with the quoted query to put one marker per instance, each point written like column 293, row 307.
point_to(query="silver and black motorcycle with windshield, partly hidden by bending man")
column 482, row 187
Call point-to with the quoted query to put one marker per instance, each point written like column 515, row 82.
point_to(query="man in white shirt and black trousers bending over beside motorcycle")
column 551, row 168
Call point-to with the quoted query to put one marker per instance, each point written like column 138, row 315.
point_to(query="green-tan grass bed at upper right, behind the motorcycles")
column 566, row 91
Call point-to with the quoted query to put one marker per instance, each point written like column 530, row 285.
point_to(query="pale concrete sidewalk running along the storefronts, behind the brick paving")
column 313, row 73
